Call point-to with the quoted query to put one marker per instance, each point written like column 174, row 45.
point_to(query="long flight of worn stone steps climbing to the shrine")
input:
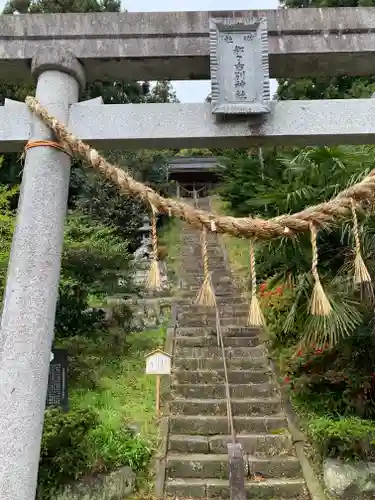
column 197, row 460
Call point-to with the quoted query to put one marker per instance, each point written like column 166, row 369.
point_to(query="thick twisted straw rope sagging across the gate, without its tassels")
column 285, row 225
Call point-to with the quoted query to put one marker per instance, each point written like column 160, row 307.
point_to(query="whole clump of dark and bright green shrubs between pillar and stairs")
column 77, row 443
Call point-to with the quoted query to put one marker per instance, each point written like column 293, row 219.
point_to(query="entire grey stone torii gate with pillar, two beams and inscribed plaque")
column 237, row 50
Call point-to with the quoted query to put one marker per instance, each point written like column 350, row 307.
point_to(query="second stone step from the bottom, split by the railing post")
column 216, row 466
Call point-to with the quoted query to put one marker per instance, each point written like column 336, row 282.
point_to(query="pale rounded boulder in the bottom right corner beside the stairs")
column 351, row 481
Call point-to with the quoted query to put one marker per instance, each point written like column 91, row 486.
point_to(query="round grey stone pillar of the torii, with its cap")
column 31, row 292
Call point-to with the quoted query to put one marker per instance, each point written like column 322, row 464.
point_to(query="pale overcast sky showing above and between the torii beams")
column 194, row 91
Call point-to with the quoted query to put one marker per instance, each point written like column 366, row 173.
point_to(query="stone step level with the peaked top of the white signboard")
column 216, row 352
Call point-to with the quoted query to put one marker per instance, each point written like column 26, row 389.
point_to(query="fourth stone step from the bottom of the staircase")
column 213, row 425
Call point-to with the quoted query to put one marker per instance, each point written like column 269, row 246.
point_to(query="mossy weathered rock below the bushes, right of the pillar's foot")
column 114, row 486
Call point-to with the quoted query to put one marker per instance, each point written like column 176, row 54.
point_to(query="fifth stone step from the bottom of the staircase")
column 248, row 406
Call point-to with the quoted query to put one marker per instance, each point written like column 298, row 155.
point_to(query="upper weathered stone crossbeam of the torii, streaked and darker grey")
column 175, row 45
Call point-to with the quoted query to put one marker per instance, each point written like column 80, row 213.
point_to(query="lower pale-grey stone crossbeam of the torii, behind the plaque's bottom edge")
column 334, row 121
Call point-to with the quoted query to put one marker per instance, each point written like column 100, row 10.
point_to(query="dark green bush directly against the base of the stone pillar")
column 64, row 450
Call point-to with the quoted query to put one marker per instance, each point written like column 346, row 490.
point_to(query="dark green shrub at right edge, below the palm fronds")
column 339, row 381
